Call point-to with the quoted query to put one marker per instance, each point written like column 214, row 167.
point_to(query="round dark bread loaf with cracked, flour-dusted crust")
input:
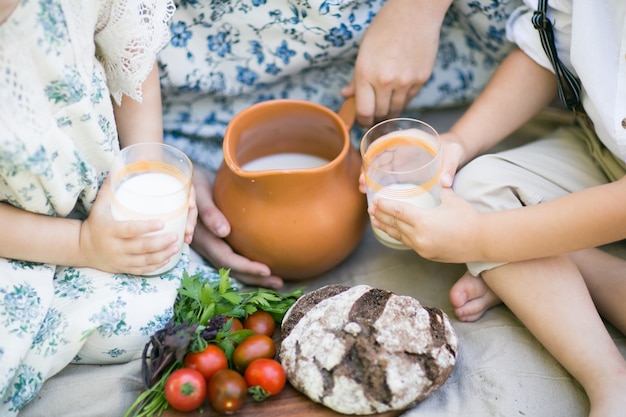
column 363, row 350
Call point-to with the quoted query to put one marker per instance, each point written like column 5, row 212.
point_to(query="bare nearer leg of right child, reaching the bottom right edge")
column 551, row 298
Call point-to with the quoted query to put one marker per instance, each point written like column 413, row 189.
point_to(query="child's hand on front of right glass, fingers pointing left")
column 447, row 233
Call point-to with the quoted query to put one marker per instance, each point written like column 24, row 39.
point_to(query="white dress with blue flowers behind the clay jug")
column 225, row 55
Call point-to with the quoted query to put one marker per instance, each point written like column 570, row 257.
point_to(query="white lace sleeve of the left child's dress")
column 128, row 41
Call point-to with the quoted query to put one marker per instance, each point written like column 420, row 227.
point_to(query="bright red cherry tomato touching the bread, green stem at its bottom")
column 267, row 374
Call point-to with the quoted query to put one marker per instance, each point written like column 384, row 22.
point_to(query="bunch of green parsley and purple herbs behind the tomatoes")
column 203, row 314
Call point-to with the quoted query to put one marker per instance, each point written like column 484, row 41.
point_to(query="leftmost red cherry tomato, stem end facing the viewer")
column 185, row 389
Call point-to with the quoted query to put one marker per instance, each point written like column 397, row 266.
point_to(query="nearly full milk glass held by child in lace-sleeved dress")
column 153, row 181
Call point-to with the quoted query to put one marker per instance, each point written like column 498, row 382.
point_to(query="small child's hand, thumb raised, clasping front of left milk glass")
column 122, row 246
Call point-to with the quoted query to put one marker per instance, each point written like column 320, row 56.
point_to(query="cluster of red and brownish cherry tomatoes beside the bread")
column 226, row 383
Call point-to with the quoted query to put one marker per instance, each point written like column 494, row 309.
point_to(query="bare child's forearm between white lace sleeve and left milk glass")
column 141, row 122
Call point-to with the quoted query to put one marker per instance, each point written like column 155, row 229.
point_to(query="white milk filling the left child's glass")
column 154, row 195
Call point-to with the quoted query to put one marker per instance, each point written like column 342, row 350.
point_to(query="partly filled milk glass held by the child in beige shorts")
column 401, row 161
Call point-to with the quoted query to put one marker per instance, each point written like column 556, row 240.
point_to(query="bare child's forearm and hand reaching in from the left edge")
column 100, row 242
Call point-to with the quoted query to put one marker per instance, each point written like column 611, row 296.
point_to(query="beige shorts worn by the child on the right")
column 568, row 160
